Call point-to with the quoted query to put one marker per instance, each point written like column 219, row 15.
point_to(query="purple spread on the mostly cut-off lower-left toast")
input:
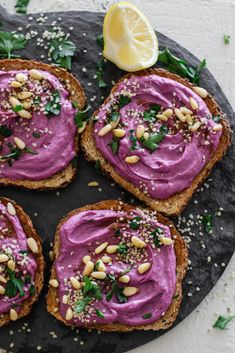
column 18, row 284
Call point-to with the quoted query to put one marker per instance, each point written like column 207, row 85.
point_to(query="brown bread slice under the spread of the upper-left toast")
column 77, row 95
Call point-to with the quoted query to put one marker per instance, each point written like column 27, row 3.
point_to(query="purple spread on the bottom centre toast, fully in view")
column 81, row 234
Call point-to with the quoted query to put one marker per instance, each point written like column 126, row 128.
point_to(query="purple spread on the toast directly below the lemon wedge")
column 170, row 166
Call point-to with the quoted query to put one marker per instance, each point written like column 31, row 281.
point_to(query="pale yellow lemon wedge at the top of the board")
column 129, row 39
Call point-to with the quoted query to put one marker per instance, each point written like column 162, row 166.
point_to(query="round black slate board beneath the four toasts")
column 51, row 207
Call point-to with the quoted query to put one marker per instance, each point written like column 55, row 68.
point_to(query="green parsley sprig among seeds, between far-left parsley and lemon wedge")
column 61, row 50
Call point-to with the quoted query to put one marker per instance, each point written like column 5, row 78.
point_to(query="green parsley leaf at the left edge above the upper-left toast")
column 10, row 42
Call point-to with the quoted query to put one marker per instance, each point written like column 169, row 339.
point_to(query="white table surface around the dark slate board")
column 199, row 26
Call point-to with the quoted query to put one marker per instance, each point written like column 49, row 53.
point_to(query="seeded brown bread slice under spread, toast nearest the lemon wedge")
column 174, row 204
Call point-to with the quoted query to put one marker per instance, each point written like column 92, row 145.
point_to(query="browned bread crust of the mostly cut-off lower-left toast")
column 30, row 232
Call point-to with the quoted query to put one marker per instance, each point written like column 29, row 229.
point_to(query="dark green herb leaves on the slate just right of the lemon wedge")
column 180, row 66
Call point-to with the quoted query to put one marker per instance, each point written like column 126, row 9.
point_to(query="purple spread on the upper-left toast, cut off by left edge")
column 48, row 134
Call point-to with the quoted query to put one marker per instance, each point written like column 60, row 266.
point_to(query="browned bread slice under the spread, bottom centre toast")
column 181, row 266
